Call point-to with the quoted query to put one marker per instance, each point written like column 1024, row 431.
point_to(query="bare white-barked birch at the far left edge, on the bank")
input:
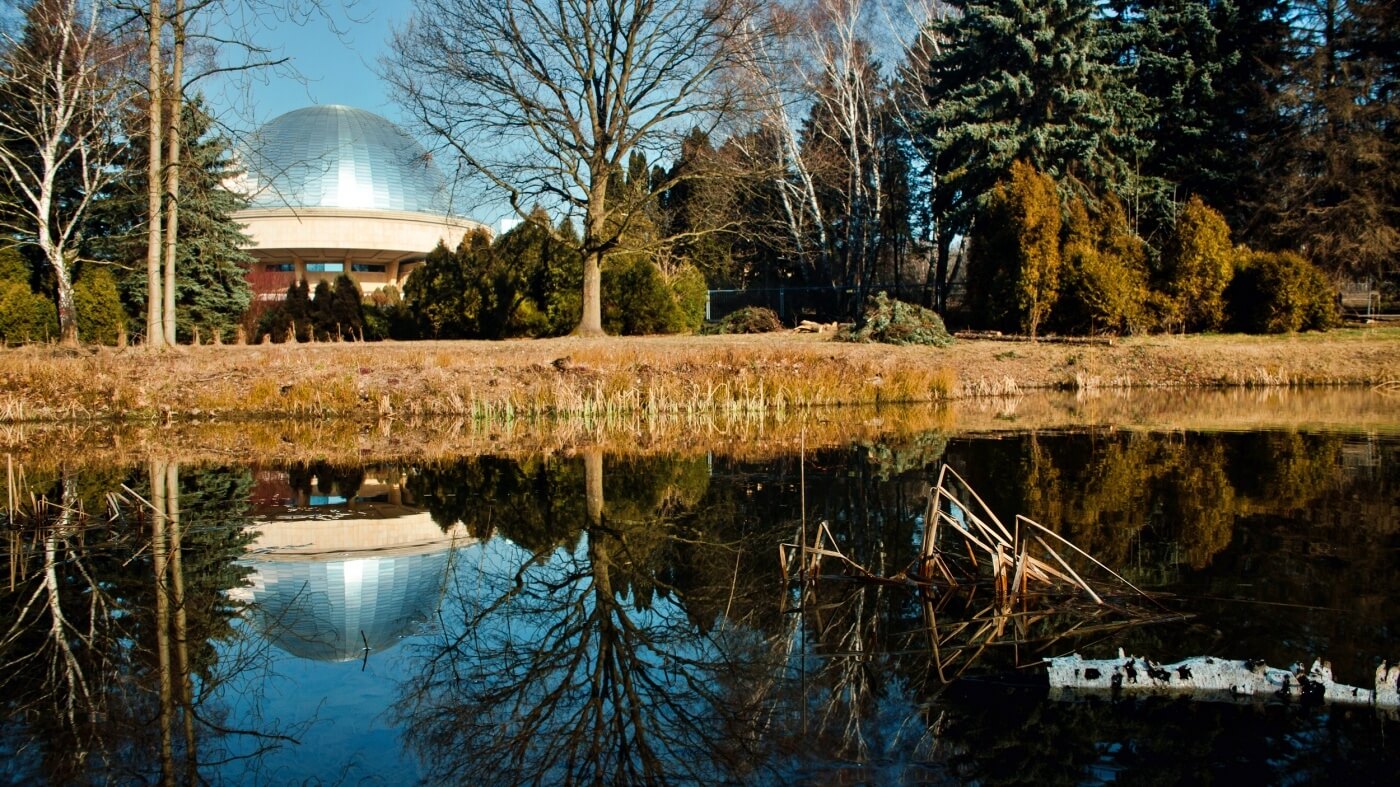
column 59, row 109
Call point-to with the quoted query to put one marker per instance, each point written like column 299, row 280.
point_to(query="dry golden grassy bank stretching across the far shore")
column 677, row 376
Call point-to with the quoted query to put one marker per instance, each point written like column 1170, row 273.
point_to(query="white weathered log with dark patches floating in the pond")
column 1216, row 678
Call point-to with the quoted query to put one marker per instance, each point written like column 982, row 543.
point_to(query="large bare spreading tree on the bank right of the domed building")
column 544, row 102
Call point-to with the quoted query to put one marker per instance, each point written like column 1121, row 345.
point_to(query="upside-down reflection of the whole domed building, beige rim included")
column 344, row 564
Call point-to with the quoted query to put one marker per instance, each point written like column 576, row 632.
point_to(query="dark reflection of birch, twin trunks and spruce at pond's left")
column 107, row 632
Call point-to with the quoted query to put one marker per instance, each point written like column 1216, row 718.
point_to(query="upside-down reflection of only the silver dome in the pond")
column 328, row 611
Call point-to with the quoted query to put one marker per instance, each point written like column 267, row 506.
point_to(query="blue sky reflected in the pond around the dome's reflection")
column 346, row 706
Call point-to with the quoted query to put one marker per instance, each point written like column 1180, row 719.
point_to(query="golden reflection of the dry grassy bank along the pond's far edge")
column 1352, row 411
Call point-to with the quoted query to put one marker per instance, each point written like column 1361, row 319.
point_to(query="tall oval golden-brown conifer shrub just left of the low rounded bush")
column 1198, row 264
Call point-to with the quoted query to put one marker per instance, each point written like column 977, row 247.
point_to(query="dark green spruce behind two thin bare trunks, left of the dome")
column 211, row 291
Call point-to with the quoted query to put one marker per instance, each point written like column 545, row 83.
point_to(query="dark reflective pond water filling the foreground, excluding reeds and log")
column 624, row 620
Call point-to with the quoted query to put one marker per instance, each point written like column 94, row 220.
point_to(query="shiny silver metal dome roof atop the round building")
column 332, row 156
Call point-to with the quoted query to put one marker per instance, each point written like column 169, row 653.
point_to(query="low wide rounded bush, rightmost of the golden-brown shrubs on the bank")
column 1280, row 293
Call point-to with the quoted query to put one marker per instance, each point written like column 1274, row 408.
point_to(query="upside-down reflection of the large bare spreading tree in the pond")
column 566, row 666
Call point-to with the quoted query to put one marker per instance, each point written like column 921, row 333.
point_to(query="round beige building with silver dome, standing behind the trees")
column 337, row 190
